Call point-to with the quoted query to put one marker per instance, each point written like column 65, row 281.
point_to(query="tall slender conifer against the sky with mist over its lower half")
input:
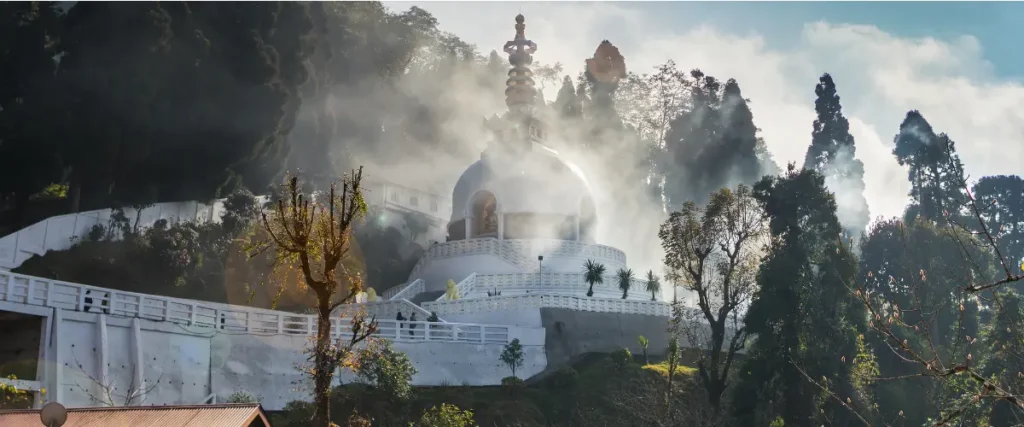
column 833, row 153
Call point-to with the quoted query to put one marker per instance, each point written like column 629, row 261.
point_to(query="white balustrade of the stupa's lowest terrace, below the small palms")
column 514, row 303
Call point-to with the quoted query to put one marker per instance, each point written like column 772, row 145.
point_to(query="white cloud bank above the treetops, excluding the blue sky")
column 880, row 78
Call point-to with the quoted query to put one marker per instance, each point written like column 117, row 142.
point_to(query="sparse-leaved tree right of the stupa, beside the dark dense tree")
column 715, row 252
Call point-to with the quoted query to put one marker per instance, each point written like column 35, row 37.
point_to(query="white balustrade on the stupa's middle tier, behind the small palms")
column 562, row 282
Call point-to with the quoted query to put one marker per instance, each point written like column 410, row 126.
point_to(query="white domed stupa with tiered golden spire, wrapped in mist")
column 524, row 220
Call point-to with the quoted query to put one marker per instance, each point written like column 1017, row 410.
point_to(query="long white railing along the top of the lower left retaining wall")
column 37, row 291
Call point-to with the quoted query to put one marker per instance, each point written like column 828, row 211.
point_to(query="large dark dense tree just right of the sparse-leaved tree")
column 803, row 315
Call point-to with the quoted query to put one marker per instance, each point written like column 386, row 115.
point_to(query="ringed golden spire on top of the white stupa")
column 520, row 94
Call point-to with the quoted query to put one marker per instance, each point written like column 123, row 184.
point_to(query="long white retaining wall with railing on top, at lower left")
column 187, row 351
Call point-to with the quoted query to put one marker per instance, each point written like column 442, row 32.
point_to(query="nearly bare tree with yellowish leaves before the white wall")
column 310, row 240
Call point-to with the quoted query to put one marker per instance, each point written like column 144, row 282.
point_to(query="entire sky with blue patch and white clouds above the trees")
column 957, row 63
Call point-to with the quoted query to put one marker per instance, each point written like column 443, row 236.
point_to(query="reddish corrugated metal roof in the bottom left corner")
column 192, row 416
